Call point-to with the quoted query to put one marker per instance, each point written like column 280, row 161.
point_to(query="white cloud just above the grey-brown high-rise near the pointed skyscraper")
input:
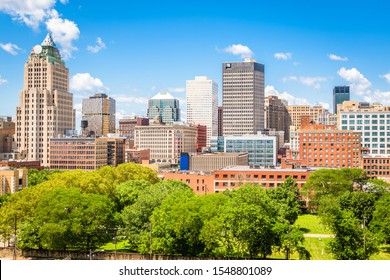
column 84, row 82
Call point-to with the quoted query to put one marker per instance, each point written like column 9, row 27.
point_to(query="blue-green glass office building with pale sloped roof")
column 165, row 106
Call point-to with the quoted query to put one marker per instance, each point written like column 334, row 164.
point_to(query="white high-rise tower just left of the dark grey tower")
column 202, row 104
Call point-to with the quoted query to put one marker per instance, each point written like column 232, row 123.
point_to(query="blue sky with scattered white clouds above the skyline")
column 133, row 49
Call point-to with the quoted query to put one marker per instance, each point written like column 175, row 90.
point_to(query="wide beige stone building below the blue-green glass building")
column 165, row 142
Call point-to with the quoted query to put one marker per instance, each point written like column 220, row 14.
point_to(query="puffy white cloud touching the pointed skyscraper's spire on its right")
column 63, row 32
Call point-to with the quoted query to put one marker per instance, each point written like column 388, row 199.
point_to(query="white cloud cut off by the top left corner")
column 30, row 12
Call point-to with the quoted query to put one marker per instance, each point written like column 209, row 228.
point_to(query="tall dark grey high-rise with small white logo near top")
column 243, row 97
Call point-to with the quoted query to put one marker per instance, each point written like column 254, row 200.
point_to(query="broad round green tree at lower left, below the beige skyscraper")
column 68, row 218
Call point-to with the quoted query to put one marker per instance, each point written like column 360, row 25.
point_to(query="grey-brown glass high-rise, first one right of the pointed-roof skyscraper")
column 99, row 112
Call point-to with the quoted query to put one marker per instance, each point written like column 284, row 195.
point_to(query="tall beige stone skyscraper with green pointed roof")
column 46, row 106
